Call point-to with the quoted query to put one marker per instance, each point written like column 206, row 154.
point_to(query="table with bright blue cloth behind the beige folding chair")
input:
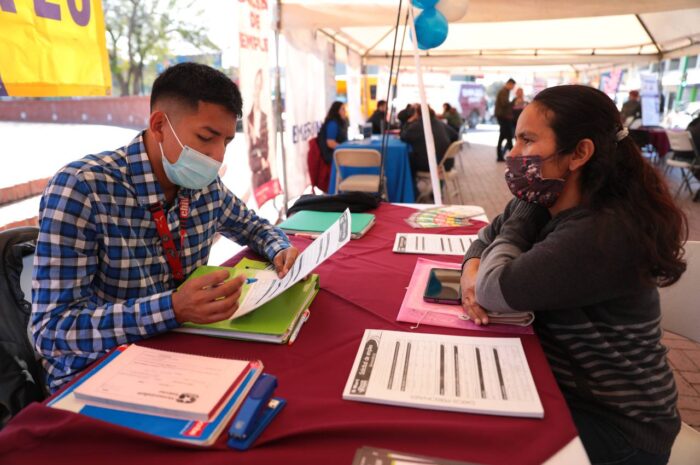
column 397, row 168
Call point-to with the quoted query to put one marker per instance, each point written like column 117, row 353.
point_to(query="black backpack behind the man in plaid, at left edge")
column 21, row 374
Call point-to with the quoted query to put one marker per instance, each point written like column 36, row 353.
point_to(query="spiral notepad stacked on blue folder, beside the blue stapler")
column 177, row 396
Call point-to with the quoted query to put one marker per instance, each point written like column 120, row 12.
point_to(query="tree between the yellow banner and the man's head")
column 140, row 31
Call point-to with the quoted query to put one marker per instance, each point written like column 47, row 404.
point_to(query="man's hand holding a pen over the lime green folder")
column 208, row 298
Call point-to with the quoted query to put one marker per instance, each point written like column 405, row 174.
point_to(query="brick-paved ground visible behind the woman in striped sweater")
column 483, row 184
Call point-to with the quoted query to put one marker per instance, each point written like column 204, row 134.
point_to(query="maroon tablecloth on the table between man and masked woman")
column 361, row 287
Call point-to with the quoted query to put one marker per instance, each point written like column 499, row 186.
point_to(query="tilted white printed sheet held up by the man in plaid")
column 328, row 243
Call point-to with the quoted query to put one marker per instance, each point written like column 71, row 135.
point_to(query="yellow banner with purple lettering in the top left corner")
column 53, row 48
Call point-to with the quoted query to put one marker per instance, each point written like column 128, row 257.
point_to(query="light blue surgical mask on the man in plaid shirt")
column 193, row 169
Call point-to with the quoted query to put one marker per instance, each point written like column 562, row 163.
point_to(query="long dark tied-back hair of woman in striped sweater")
column 618, row 180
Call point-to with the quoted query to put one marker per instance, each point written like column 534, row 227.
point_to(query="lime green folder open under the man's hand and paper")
column 278, row 321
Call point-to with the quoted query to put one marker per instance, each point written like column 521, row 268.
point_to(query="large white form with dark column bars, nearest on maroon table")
column 435, row 371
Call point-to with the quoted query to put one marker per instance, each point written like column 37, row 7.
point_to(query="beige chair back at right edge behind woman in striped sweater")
column 679, row 302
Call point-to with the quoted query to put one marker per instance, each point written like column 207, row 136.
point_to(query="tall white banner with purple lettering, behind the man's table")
column 306, row 102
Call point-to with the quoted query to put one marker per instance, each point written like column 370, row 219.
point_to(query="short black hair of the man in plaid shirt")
column 190, row 83
